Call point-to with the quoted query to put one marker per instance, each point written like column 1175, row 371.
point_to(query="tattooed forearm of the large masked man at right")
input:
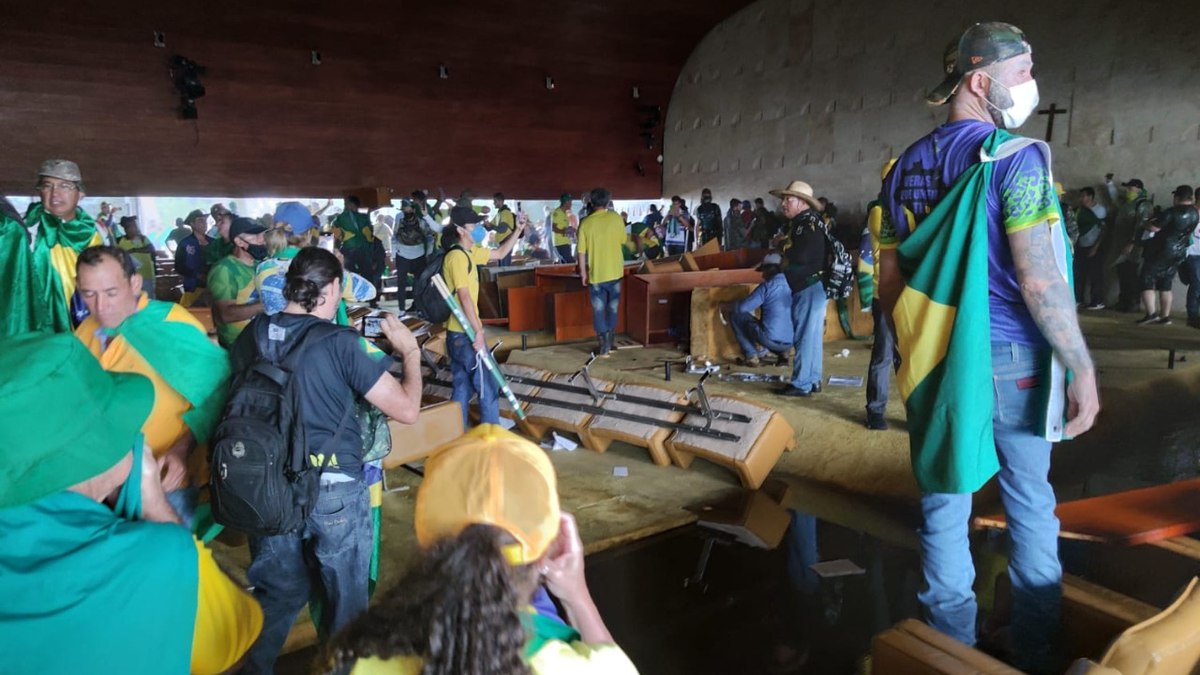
column 1048, row 296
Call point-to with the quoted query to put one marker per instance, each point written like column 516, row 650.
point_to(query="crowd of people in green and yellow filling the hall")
column 964, row 265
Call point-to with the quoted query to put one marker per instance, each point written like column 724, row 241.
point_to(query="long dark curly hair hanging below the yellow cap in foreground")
column 458, row 610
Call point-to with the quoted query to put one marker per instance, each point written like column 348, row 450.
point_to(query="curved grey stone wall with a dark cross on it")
column 826, row 92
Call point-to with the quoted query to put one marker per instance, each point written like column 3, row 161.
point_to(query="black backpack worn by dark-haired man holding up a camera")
column 262, row 482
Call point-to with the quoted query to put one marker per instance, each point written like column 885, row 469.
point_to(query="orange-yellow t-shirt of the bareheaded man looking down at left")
column 165, row 426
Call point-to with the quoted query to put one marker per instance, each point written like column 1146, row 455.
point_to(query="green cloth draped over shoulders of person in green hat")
column 68, row 565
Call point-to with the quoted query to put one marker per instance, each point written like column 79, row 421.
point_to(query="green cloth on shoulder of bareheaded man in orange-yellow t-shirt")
column 185, row 359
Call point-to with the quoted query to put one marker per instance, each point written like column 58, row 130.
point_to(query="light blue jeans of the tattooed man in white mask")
column 1018, row 374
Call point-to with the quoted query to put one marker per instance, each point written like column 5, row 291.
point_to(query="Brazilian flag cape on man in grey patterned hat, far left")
column 52, row 259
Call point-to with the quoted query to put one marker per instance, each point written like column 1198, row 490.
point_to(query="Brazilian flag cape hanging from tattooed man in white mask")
column 944, row 333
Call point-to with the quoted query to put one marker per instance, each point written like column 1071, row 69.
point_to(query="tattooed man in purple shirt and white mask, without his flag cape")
column 1033, row 312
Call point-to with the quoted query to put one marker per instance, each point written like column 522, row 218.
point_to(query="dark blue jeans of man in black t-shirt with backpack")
column 331, row 559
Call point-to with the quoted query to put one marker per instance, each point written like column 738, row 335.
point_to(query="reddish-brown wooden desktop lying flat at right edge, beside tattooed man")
column 1127, row 519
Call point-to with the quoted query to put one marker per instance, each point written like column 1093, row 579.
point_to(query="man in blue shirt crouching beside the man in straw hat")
column 773, row 332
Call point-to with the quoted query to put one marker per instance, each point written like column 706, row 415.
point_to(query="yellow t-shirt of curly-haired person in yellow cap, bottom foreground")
column 556, row 658
